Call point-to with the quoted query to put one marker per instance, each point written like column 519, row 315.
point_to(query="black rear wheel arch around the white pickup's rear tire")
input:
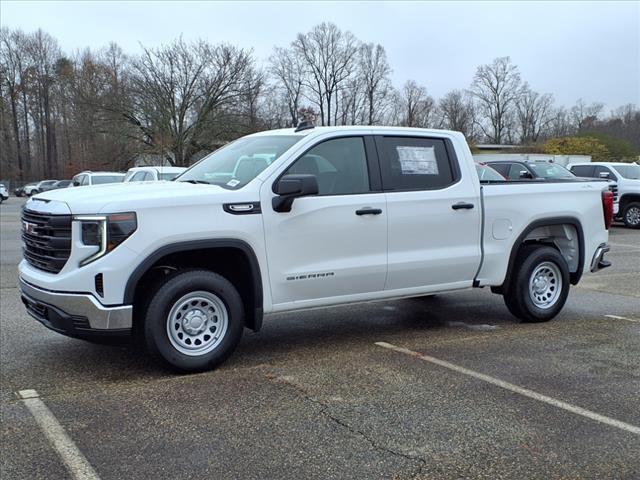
column 528, row 236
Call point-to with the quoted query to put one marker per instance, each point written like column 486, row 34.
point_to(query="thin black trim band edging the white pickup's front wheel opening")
column 254, row 319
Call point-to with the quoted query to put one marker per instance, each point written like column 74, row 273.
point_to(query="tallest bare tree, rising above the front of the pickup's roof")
column 329, row 58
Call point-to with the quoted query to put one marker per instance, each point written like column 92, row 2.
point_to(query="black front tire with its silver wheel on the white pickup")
column 165, row 346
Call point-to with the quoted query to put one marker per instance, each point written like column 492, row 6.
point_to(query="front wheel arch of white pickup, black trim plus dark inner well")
column 171, row 255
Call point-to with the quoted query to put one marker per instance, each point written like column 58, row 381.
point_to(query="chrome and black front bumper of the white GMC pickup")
column 74, row 314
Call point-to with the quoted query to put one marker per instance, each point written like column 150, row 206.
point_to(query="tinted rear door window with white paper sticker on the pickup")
column 414, row 163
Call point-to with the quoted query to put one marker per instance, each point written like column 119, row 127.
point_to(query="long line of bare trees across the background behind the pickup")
column 61, row 113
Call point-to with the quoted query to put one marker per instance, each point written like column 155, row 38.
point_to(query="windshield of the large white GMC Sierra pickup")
column 236, row 164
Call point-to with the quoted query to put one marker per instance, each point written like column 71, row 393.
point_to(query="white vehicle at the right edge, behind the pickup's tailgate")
column 627, row 178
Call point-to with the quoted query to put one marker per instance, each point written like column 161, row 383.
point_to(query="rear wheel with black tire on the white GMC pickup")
column 526, row 305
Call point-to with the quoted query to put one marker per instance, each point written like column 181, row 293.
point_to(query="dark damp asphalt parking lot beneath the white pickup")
column 332, row 394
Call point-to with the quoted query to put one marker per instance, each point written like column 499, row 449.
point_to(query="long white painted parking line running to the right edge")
column 516, row 389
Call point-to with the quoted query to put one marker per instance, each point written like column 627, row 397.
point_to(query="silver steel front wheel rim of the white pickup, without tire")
column 197, row 323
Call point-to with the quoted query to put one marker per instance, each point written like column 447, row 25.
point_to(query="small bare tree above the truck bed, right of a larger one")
column 533, row 113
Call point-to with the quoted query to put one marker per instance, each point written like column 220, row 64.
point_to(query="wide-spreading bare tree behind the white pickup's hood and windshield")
column 179, row 87
